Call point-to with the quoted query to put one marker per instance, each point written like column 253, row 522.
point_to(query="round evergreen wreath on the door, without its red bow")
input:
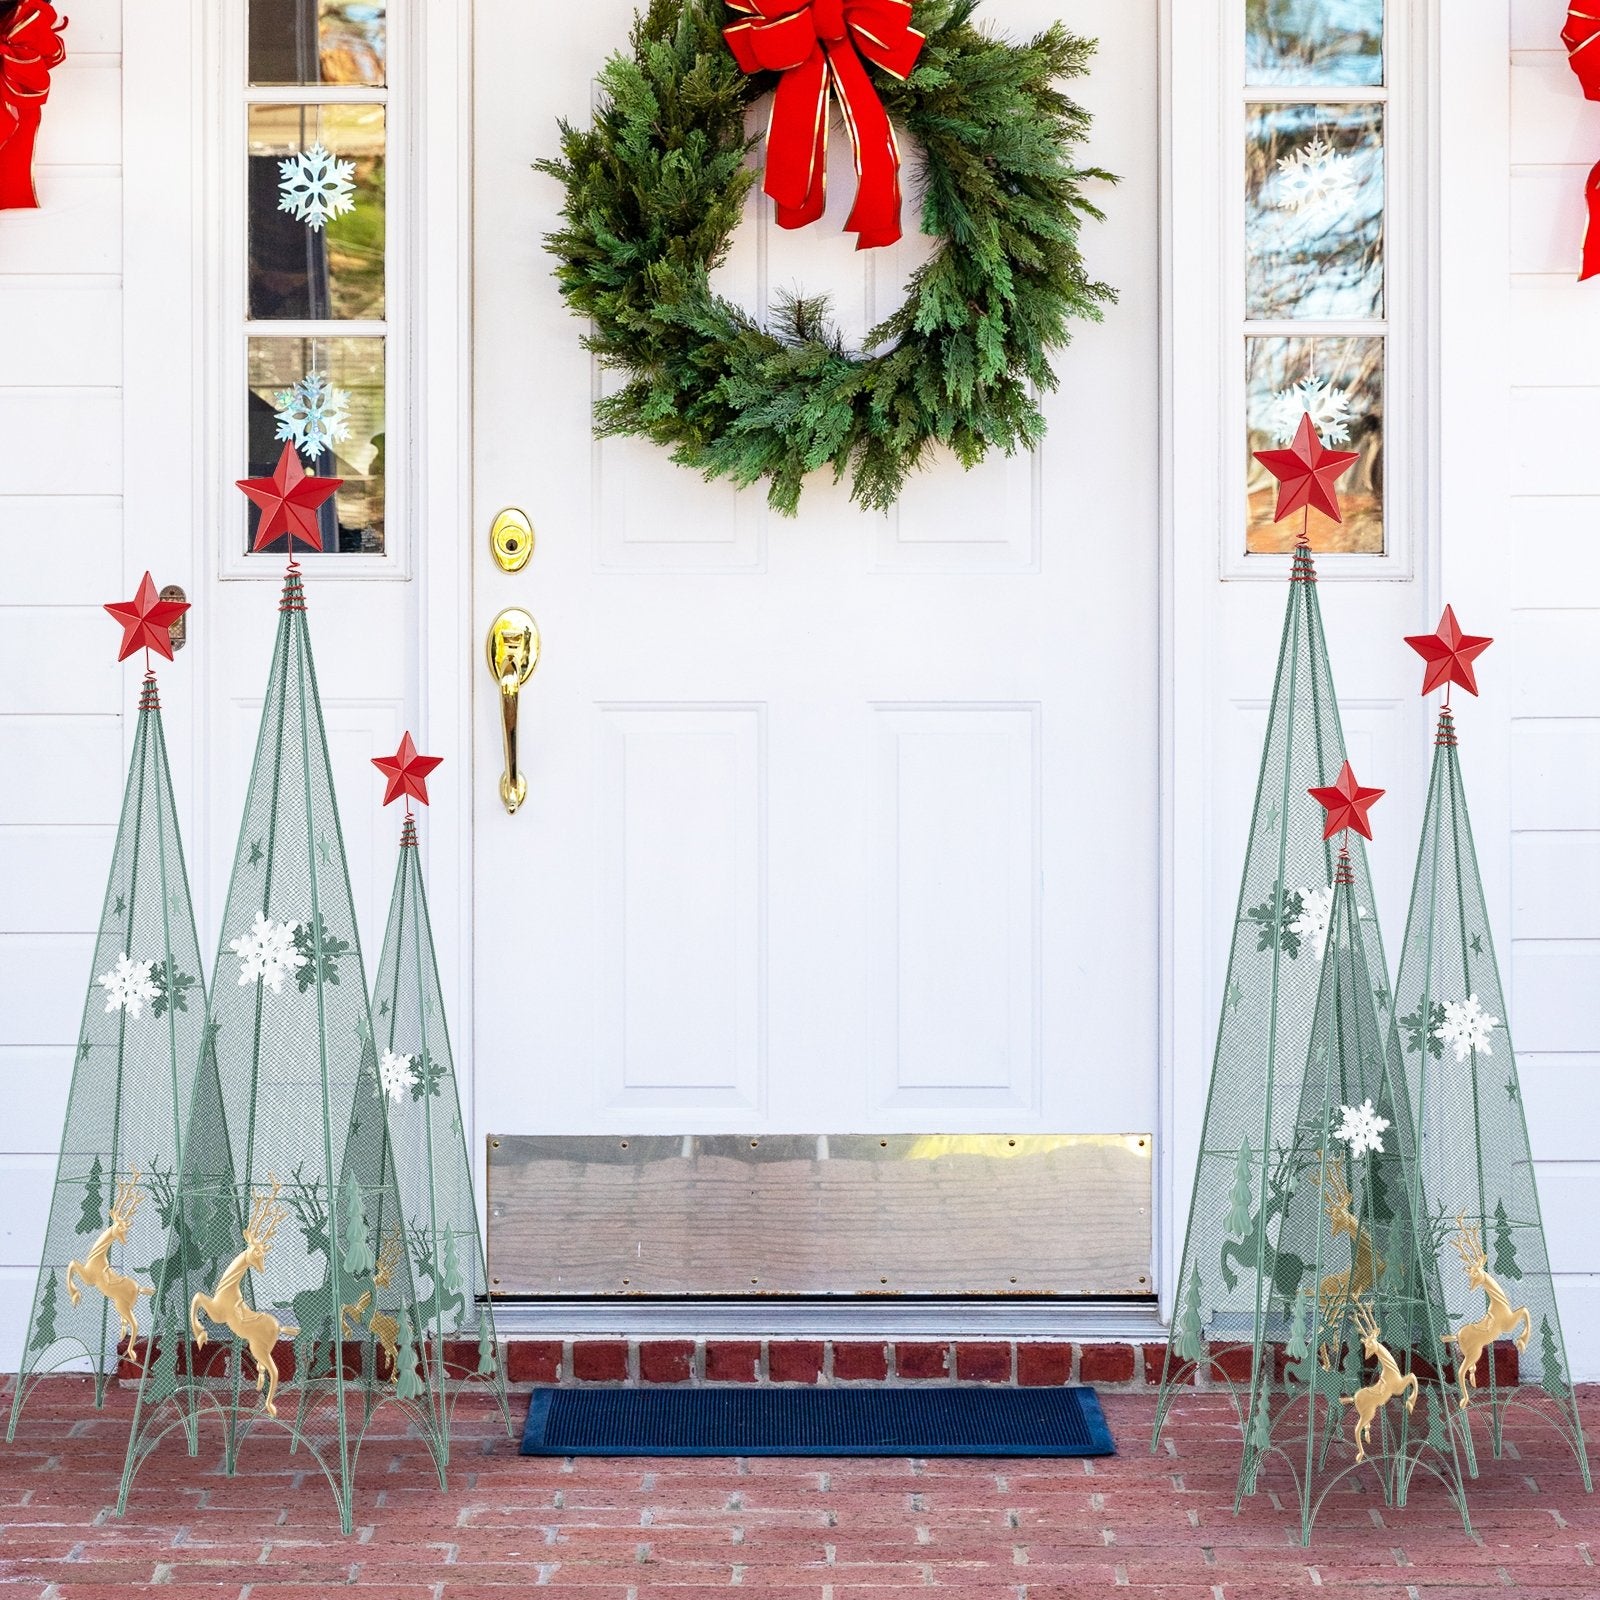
column 657, row 188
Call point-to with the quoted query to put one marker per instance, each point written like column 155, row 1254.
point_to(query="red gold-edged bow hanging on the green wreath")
column 818, row 46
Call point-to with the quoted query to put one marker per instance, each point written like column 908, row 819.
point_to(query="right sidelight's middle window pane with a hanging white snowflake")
column 1314, row 212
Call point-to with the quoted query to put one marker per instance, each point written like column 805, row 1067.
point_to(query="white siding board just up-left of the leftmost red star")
column 58, row 550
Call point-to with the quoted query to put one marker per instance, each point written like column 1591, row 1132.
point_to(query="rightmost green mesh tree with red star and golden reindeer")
column 1478, row 1166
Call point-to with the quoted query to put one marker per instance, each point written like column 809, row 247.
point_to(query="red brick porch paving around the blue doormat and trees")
column 1161, row 1527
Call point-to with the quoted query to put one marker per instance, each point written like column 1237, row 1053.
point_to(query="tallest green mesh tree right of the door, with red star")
column 1281, row 1210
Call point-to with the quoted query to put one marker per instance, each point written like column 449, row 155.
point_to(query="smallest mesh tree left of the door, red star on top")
column 417, row 1070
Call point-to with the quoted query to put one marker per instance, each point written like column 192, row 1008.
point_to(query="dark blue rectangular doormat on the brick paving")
column 935, row 1422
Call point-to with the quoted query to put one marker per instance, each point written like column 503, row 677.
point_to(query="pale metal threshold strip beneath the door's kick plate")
column 1022, row 1318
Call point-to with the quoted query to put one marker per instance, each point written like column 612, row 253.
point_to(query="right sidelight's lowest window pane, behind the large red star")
column 1342, row 383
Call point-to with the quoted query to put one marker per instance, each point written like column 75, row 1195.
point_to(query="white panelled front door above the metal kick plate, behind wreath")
column 842, row 823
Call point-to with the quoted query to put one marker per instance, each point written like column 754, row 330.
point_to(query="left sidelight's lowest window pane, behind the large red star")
column 327, row 399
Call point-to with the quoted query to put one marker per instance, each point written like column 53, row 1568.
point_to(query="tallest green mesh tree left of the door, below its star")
column 287, row 1202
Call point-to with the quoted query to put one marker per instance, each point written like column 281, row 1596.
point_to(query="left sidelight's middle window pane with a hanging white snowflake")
column 316, row 212
